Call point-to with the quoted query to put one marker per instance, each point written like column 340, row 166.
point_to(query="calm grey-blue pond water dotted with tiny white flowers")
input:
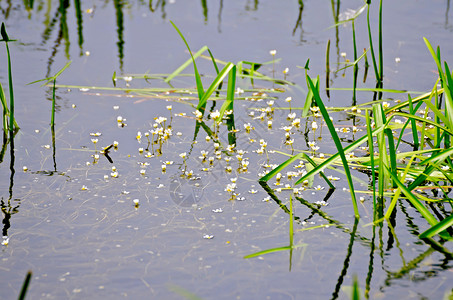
column 74, row 221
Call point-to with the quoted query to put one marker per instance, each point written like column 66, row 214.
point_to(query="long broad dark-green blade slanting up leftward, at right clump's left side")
column 337, row 142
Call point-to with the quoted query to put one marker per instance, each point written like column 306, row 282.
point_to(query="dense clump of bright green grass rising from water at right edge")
column 431, row 134
